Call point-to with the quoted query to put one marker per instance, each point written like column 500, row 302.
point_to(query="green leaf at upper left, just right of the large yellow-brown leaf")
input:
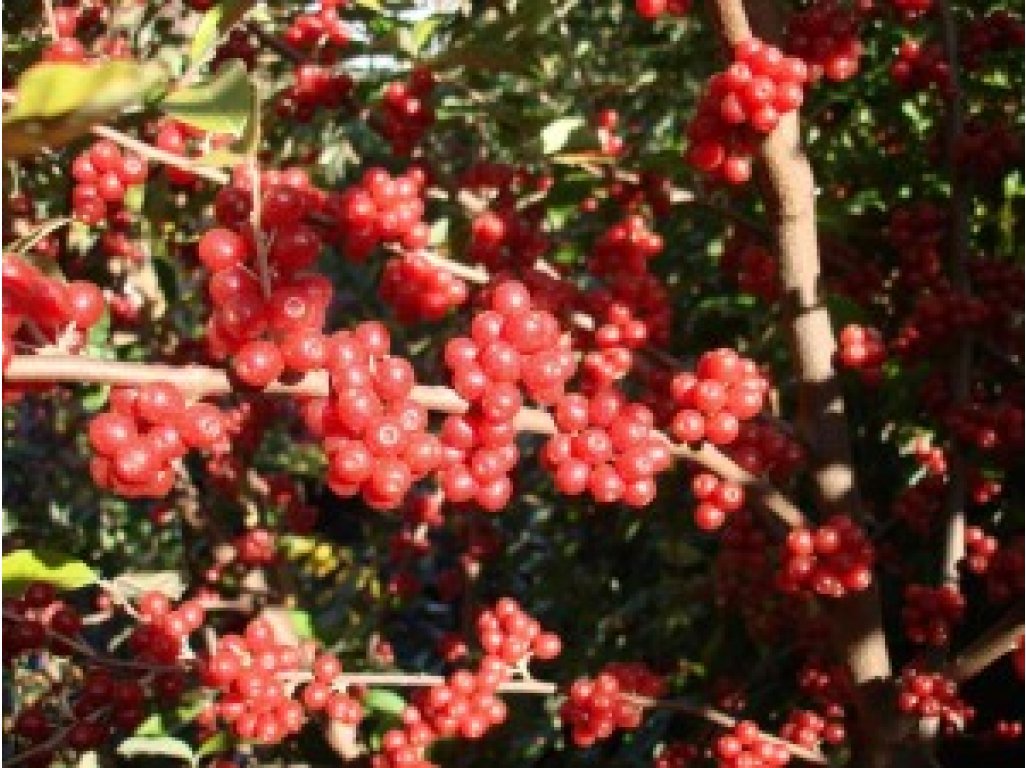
column 221, row 106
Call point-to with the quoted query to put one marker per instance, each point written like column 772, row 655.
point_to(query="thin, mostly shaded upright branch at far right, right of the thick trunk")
column 955, row 502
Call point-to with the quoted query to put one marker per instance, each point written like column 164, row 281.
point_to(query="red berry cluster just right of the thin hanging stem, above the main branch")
column 382, row 209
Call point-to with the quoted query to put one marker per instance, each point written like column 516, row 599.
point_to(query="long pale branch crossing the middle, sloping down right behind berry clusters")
column 200, row 382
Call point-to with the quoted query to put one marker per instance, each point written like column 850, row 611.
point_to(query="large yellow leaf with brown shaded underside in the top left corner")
column 58, row 103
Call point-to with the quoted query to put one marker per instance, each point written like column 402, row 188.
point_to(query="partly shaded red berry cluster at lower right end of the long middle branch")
column 833, row 560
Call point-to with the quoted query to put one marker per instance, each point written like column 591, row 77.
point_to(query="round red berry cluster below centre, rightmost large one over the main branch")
column 607, row 447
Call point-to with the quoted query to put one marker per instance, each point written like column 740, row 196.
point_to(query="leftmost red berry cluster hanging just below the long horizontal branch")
column 145, row 431
